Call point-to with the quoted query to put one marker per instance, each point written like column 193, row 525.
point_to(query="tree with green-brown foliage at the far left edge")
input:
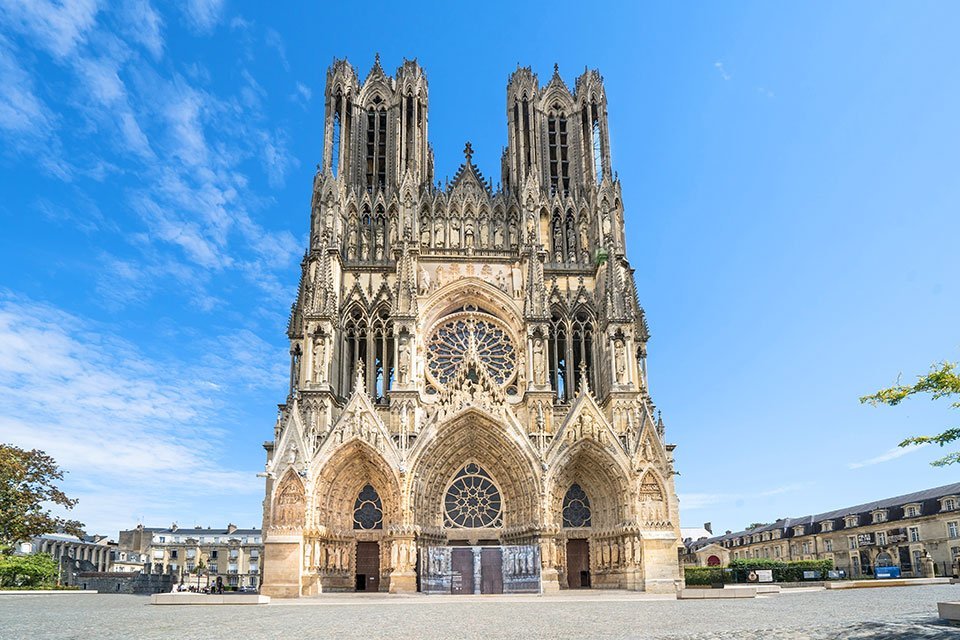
column 28, row 483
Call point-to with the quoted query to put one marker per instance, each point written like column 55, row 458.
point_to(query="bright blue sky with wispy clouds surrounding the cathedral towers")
column 793, row 215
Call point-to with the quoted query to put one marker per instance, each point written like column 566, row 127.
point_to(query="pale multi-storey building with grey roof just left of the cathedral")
column 232, row 554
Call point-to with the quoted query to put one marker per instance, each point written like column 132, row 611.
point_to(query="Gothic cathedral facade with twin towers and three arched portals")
column 468, row 408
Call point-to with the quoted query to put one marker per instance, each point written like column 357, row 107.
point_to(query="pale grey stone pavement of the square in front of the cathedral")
column 861, row 614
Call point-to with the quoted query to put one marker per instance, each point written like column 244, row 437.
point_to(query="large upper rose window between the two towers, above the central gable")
column 471, row 337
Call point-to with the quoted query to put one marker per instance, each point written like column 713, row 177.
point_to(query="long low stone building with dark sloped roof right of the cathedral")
column 912, row 531
